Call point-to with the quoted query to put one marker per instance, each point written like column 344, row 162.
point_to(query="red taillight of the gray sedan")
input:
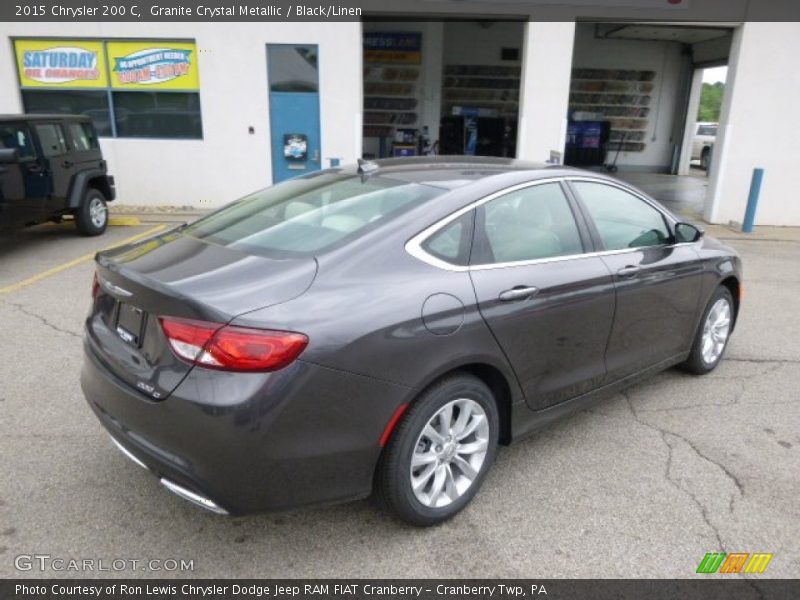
column 231, row 348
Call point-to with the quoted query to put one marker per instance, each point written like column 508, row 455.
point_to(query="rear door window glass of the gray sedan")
column 532, row 223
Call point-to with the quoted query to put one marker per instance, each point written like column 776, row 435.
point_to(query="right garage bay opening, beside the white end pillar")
column 634, row 101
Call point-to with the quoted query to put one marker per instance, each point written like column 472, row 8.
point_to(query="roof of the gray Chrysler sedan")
column 449, row 171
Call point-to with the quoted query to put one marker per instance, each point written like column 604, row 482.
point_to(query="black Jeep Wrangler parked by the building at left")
column 51, row 166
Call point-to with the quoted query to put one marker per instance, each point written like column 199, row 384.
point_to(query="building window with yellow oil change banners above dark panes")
column 141, row 89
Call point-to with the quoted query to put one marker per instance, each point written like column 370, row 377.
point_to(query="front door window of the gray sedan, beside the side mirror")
column 622, row 219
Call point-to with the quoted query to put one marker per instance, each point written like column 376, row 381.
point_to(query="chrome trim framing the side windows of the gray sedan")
column 414, row 245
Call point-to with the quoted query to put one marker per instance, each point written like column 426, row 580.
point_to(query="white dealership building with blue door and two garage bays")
column 200, row 113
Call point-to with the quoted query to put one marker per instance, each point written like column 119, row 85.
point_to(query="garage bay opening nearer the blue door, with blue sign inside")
column 441, row 87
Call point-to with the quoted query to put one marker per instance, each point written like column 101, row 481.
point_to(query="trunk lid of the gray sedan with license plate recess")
column 177, row 275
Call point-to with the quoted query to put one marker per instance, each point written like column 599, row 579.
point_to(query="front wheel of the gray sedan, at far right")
column 713, row 334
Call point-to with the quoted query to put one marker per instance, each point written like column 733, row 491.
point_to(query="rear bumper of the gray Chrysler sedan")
column 251, row 442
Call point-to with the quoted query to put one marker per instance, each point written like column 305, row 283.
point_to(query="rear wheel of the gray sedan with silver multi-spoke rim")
column 450, row 433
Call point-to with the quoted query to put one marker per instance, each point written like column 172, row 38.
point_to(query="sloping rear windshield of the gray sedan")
column 309, row 215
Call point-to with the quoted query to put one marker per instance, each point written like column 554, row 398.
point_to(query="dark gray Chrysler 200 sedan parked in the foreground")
column 382, row 328
